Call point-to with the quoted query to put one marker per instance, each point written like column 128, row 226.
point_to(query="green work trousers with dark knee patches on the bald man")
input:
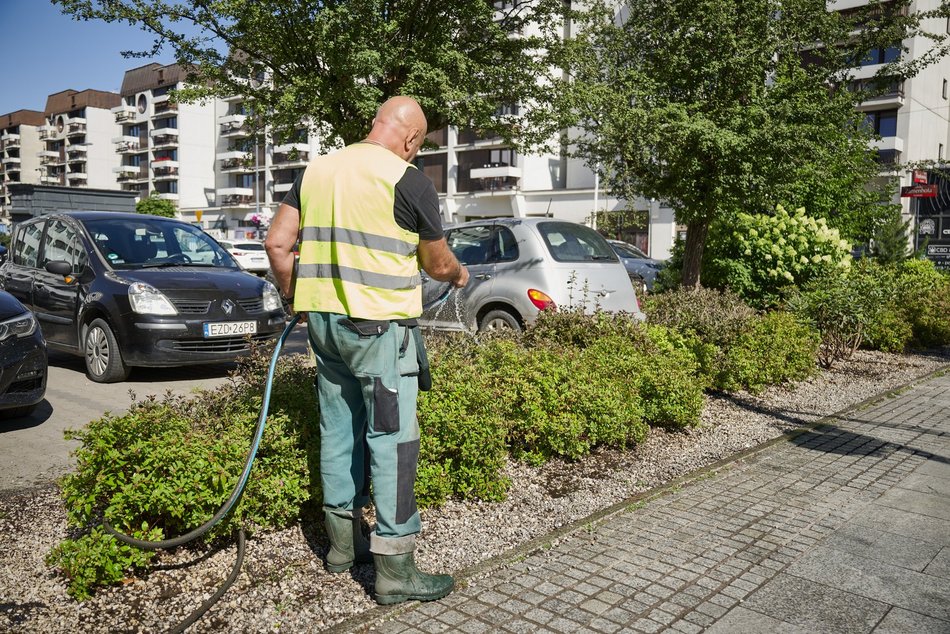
column 367, row 385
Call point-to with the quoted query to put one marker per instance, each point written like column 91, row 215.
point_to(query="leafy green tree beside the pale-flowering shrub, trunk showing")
column 722, row 106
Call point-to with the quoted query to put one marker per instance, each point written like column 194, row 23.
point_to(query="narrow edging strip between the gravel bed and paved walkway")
column 364, row 621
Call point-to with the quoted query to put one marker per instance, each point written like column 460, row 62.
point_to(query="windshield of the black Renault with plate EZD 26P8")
column 153, row 242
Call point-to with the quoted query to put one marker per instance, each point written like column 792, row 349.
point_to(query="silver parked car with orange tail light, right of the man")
column 520, row 266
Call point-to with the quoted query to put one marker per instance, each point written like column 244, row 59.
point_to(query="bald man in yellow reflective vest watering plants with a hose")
column 367, row 220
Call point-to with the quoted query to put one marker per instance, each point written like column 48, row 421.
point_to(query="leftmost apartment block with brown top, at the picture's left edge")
column 19, row 148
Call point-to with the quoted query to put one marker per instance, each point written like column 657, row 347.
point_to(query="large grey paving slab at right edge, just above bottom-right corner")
column 873, row 579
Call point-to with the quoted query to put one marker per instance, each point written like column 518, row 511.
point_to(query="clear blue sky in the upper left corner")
column 45, row 52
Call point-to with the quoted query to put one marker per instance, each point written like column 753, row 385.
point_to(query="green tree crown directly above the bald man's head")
column 333, row 63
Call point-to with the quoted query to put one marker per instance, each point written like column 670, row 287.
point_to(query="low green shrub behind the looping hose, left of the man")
column 164, row 467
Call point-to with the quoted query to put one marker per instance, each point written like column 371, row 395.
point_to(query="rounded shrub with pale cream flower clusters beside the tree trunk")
column 762, row 257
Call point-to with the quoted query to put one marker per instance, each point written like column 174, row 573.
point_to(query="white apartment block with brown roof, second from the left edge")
column 76, row 149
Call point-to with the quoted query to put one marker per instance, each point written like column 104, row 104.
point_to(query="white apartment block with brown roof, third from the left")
column 164, row 147
